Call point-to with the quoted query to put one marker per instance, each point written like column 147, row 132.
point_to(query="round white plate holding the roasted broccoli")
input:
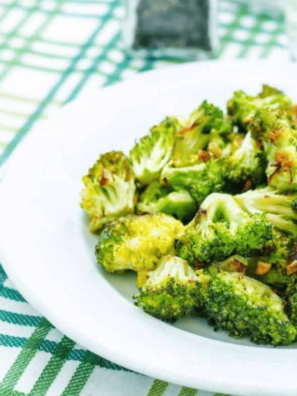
column 47, row 250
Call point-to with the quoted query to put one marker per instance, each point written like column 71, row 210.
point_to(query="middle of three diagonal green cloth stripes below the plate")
column 53, row 368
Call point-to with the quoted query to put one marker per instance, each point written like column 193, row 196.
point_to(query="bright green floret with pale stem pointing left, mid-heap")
column 200, row 179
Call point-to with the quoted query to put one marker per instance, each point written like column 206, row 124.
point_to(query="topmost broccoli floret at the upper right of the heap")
column 242, row 107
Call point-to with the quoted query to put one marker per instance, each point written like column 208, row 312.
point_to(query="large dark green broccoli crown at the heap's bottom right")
column 246, row 307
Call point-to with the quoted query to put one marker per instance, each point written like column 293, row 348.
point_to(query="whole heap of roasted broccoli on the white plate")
column 232, row 180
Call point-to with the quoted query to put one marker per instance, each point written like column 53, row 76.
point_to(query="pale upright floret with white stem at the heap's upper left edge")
column 152, row 152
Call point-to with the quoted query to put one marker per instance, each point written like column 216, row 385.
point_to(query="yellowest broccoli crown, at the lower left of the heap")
column 137, row 242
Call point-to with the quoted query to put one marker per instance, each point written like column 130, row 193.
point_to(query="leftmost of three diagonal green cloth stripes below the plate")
column 26, row 355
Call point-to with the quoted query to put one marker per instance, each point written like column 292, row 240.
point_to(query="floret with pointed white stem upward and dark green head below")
column 248, row 163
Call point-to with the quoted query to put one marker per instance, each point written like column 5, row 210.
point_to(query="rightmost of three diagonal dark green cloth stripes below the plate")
column 81, row 375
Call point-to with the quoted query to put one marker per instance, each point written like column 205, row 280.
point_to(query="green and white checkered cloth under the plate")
column 51, row 51
